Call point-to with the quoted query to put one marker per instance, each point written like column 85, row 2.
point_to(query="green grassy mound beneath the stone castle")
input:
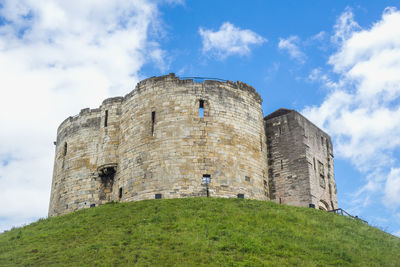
column 199, row 232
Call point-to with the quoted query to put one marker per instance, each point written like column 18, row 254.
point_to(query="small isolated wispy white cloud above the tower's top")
column 229, row 40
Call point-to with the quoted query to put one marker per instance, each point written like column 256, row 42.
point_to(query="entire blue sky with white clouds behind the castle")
column 336, row 62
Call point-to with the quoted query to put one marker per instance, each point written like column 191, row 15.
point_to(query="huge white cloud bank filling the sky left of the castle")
column 57, row 57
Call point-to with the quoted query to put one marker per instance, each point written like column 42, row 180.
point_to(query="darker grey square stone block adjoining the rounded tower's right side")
column 300, row 161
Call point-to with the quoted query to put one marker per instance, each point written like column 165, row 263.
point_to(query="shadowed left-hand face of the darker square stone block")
column 288, row 169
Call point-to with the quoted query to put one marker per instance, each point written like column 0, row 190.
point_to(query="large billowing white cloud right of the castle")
column 362, row 108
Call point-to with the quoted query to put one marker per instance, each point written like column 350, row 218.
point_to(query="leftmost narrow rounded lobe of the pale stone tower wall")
column 75, row 166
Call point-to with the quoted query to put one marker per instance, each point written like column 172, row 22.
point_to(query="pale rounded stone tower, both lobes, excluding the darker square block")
column 168, row 138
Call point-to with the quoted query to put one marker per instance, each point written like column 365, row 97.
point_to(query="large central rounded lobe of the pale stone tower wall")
column 171, row 156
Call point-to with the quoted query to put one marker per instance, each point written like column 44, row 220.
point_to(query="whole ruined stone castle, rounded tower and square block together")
column 175, row 137
